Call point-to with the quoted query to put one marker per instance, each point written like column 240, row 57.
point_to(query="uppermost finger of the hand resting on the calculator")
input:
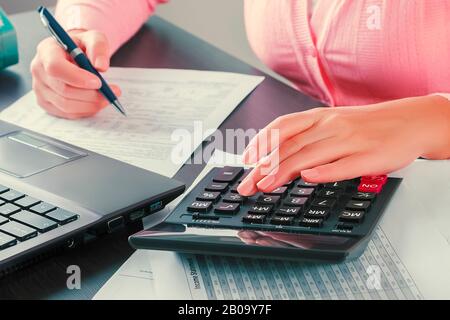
column 277, row 132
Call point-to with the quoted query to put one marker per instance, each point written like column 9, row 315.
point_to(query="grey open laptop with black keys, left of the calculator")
column 51, row 193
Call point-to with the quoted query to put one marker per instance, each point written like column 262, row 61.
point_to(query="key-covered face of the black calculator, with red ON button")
column 351, row 207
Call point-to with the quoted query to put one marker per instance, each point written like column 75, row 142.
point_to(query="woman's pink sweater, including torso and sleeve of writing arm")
column 342, row 52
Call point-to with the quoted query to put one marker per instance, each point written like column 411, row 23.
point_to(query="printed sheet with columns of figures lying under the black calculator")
column 407, row 258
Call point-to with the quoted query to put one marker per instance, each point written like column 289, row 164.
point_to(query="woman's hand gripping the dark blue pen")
column 62, row 88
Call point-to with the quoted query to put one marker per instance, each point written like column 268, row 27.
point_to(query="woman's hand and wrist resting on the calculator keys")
column 333, row 144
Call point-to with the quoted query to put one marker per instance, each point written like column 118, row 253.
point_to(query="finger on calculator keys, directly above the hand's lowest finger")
column 316, row 154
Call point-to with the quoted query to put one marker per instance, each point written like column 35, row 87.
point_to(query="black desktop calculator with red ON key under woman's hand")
column 298, row 221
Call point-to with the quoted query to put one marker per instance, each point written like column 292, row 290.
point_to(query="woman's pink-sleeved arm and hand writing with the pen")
column 99, row 27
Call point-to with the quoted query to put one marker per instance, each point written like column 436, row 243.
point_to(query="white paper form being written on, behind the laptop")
column 158, row 102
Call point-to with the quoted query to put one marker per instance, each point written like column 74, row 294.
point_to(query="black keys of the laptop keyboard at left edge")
column 23, row 217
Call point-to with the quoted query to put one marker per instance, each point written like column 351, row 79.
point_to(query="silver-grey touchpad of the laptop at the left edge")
column 23, row 154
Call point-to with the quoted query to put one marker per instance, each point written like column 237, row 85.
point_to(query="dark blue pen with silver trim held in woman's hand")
column 77, row 54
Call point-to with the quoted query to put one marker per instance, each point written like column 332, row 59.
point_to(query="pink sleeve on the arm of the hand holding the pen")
column 118, row 19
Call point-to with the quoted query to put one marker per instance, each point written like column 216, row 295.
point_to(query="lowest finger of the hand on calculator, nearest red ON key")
column 350, row 167
